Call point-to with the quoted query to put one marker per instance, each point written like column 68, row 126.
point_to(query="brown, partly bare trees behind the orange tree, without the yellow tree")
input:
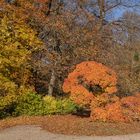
column 73, row 31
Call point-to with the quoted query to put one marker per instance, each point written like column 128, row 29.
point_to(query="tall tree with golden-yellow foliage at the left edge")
column 17, row 44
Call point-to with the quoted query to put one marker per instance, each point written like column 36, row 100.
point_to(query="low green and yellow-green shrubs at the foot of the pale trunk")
column 33, row 104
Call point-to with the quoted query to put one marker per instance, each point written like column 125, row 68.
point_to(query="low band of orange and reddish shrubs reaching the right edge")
column 126, row 109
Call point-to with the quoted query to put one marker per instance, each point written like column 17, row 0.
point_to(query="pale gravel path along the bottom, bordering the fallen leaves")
column 27, row 132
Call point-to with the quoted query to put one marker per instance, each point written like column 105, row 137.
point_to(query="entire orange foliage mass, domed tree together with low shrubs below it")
column 93, row 84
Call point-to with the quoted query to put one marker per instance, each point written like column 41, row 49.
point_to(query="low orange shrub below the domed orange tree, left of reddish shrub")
column 107, row 109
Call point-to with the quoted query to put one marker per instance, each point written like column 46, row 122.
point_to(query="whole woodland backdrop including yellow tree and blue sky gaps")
column 47, row 38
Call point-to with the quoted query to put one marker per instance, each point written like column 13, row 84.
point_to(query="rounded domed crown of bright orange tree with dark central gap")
column 89, row 80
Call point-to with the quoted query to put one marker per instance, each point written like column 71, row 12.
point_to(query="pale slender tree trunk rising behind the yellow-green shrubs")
column 52, row 83
